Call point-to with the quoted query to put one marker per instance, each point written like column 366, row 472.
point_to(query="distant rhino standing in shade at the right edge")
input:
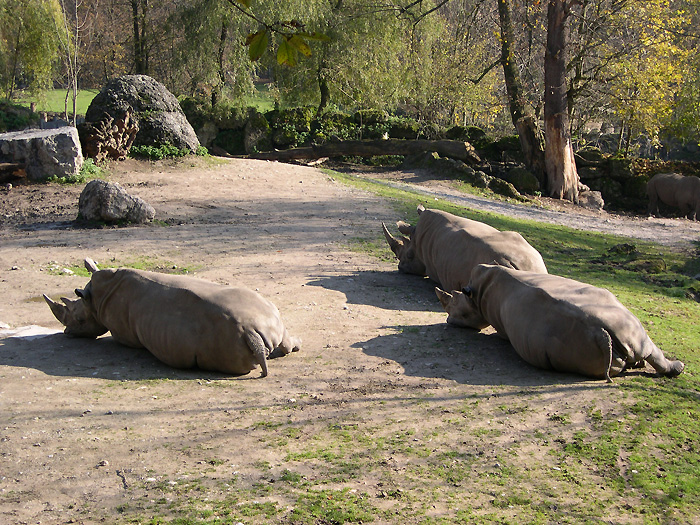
column 675, row 190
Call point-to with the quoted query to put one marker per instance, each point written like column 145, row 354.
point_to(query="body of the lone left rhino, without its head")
column 187, row 322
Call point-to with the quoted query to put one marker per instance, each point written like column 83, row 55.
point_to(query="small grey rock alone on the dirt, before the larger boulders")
column 109, row 202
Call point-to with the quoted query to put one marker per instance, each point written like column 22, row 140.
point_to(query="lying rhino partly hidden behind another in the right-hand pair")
column 446, row 248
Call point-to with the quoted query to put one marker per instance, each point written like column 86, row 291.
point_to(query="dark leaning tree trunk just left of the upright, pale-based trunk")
column 529, row 133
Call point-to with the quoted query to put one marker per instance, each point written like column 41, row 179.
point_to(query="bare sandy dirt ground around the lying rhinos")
column 381, row 394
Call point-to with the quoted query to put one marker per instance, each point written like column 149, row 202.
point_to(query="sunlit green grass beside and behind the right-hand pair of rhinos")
column 660, row 432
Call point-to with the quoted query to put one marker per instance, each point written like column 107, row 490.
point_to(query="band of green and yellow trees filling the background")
column 631, row 64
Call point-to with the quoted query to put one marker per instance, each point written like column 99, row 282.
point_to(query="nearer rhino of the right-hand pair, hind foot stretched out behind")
column 556, row 323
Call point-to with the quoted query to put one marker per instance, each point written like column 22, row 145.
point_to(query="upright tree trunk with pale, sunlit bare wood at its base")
column 562, row 177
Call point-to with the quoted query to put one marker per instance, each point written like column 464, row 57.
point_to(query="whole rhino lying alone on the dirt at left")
column 183, row 321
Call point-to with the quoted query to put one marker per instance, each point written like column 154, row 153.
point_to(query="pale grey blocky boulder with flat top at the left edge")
column 43, row 152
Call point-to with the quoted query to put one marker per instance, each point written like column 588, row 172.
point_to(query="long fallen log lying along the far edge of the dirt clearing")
column 367, row 148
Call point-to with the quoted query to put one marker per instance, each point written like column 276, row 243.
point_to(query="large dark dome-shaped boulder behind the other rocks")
column 157, row 112
